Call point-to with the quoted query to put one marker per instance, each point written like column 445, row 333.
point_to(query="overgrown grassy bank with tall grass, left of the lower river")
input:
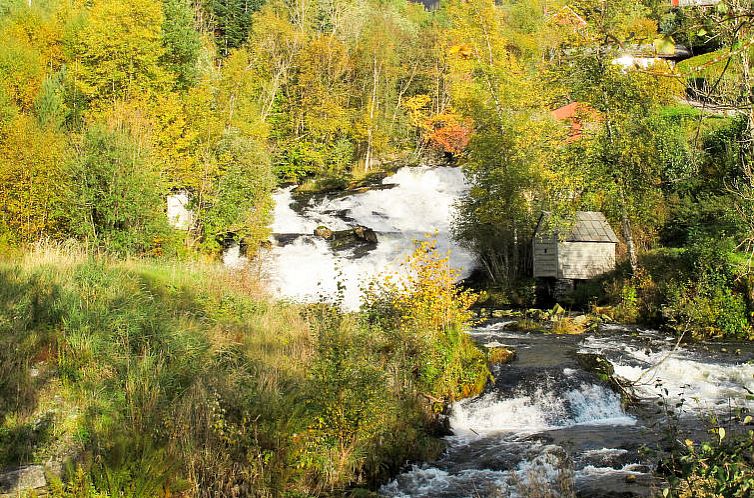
column 147, row 378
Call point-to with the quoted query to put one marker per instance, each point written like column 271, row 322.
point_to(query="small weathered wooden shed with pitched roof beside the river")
column 587, row 251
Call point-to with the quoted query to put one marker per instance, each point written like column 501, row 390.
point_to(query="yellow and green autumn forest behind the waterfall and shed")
column 107, row 108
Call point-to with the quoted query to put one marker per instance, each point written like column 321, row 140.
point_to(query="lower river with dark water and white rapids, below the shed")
column 547, row 424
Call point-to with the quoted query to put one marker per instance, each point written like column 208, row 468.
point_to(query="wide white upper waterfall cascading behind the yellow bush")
column 420, row 204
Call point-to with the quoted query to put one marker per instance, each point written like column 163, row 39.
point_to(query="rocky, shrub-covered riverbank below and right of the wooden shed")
column 702, row 291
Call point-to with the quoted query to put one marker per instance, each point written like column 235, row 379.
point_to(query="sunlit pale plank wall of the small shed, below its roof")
column 584, row 260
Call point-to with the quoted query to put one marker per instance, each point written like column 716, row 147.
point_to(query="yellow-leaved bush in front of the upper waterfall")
column 424, row 316
